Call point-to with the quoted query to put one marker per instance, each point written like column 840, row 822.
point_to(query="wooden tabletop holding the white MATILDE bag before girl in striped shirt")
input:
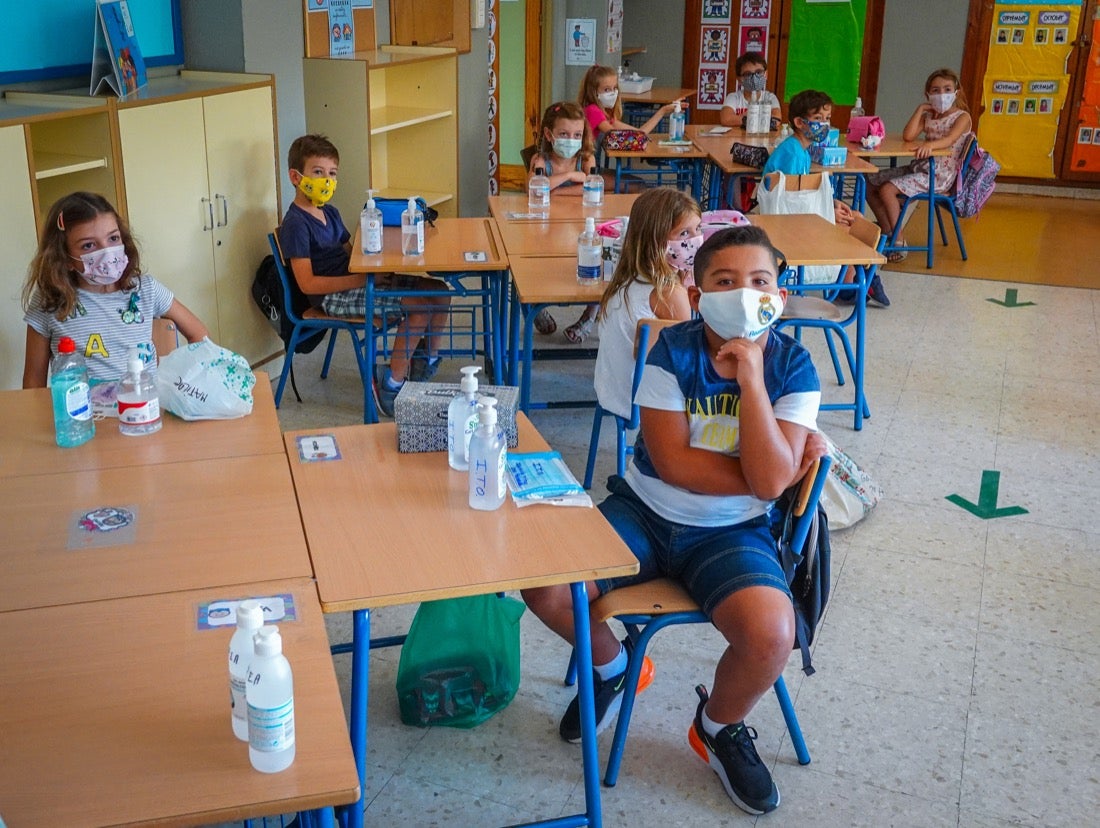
column 28, row 446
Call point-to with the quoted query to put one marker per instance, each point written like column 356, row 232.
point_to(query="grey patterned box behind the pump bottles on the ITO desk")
column 421, row 413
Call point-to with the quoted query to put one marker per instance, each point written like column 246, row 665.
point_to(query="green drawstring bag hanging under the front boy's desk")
column 460, row 664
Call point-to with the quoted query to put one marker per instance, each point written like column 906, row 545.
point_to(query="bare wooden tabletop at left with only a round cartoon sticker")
column 199, row 524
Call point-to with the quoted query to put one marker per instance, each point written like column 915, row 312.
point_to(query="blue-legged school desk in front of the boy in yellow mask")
column 454, row 250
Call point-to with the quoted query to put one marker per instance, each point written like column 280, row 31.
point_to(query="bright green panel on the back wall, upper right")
column 826, row 49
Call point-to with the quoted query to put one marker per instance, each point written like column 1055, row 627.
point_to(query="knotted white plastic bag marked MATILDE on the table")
column 205, row 382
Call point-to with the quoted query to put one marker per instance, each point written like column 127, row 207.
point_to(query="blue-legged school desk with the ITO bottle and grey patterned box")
column 387, row 528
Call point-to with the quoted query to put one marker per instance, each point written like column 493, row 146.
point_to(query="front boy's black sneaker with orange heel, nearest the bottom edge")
column 733, row 757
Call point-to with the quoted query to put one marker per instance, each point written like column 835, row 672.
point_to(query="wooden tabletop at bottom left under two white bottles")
column 117, row 713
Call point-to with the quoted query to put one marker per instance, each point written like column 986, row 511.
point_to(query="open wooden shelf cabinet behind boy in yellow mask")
column 392, row 114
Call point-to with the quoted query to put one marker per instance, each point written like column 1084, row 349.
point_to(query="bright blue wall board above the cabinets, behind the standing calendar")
column 53, row 39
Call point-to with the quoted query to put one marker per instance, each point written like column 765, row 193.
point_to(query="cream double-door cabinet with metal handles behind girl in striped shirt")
column 200, row 179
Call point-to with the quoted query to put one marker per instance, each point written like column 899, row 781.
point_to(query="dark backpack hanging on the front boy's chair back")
column 808, row 576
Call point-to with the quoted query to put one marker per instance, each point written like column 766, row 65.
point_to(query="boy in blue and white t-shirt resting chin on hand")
column 729, row 418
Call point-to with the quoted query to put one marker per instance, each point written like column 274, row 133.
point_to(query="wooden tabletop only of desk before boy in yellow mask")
column 445, row 249
